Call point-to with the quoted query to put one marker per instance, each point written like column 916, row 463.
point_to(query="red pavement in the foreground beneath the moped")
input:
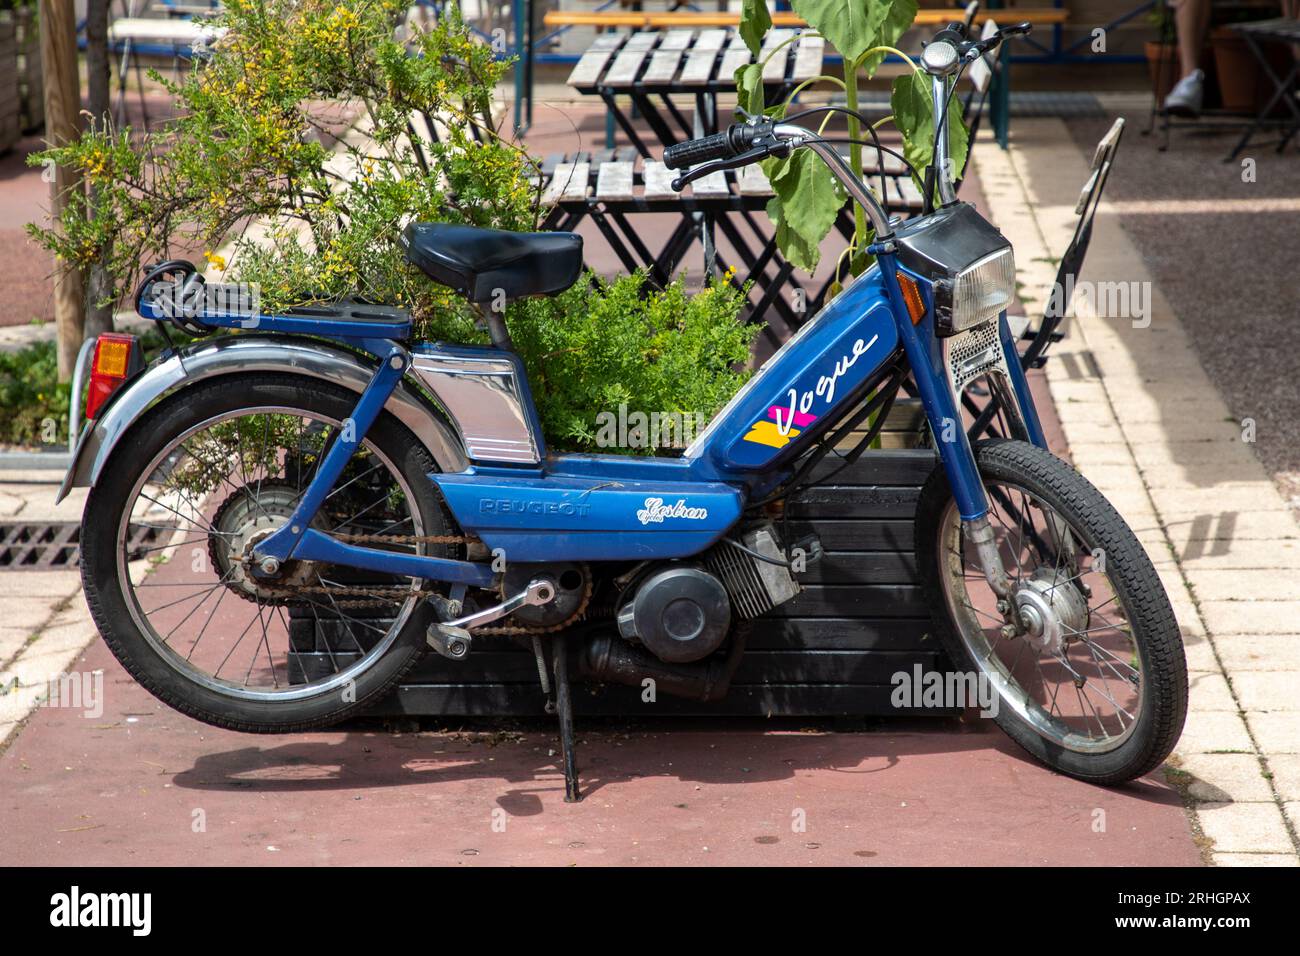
column 127, row 788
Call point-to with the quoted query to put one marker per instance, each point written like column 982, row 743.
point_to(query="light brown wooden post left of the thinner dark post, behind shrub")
column 63, row 105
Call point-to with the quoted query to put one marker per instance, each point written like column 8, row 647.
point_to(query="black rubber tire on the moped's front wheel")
column 1133, row 578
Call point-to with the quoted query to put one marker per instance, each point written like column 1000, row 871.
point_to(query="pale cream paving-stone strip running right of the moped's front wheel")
column 1146, row 426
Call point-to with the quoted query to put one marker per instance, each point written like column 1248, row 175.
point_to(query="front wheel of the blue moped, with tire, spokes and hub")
column 1084, row 655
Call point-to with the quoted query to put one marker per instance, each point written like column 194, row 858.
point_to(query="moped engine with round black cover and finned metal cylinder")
column 683, row 612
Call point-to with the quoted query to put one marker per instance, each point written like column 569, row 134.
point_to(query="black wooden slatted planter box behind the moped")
column 831, row 651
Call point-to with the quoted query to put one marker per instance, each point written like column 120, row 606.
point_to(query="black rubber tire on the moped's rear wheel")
column 105, row 592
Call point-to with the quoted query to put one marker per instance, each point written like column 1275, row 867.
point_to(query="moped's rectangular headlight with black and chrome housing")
column 968, row 262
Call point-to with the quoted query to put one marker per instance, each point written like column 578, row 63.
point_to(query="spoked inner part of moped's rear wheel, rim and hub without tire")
column 229, row 482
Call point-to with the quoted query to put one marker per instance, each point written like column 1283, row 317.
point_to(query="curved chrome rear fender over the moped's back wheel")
column 236, row 354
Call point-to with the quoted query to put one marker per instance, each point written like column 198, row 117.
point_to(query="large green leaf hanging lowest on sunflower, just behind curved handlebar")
column 805, row 206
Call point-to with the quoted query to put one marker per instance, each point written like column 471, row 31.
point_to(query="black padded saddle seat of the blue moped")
column 480, row 262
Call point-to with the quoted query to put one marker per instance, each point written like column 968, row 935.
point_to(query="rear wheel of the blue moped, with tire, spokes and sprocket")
column 171, row 525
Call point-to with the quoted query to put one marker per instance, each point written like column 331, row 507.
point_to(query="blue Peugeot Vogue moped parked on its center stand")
column 402, row 495
